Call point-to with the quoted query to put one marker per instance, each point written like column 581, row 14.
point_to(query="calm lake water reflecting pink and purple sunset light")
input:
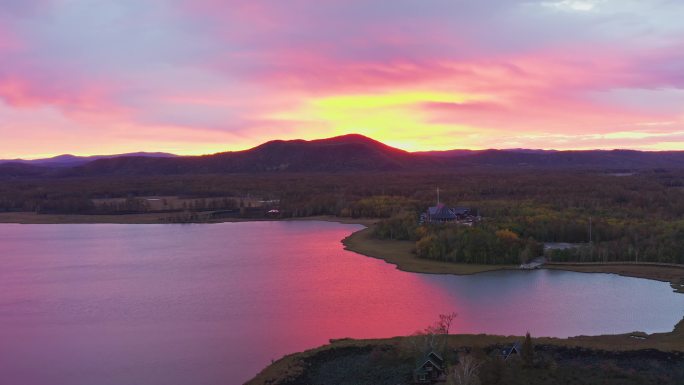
column 214, row 303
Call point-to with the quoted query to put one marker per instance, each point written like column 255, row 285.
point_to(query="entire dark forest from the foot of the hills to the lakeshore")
column 634, row 216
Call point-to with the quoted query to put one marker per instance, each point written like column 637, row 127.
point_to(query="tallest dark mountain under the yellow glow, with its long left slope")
column 338, row 154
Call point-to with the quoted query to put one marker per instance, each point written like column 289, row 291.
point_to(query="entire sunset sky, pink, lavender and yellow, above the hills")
column 202, row 76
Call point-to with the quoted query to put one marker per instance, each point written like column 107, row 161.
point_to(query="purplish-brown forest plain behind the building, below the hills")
column 564, row 194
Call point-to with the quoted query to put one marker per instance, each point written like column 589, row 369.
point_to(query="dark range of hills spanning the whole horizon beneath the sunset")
column 348, row 153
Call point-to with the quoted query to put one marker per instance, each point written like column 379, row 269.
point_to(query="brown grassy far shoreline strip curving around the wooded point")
column 398, row 253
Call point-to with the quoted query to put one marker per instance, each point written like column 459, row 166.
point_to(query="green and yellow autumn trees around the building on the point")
column 520, row 238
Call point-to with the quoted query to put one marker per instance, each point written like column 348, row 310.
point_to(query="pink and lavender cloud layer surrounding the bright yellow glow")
column 229, row 67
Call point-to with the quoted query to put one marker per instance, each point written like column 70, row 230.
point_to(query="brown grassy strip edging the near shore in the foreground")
column 293, row 366
